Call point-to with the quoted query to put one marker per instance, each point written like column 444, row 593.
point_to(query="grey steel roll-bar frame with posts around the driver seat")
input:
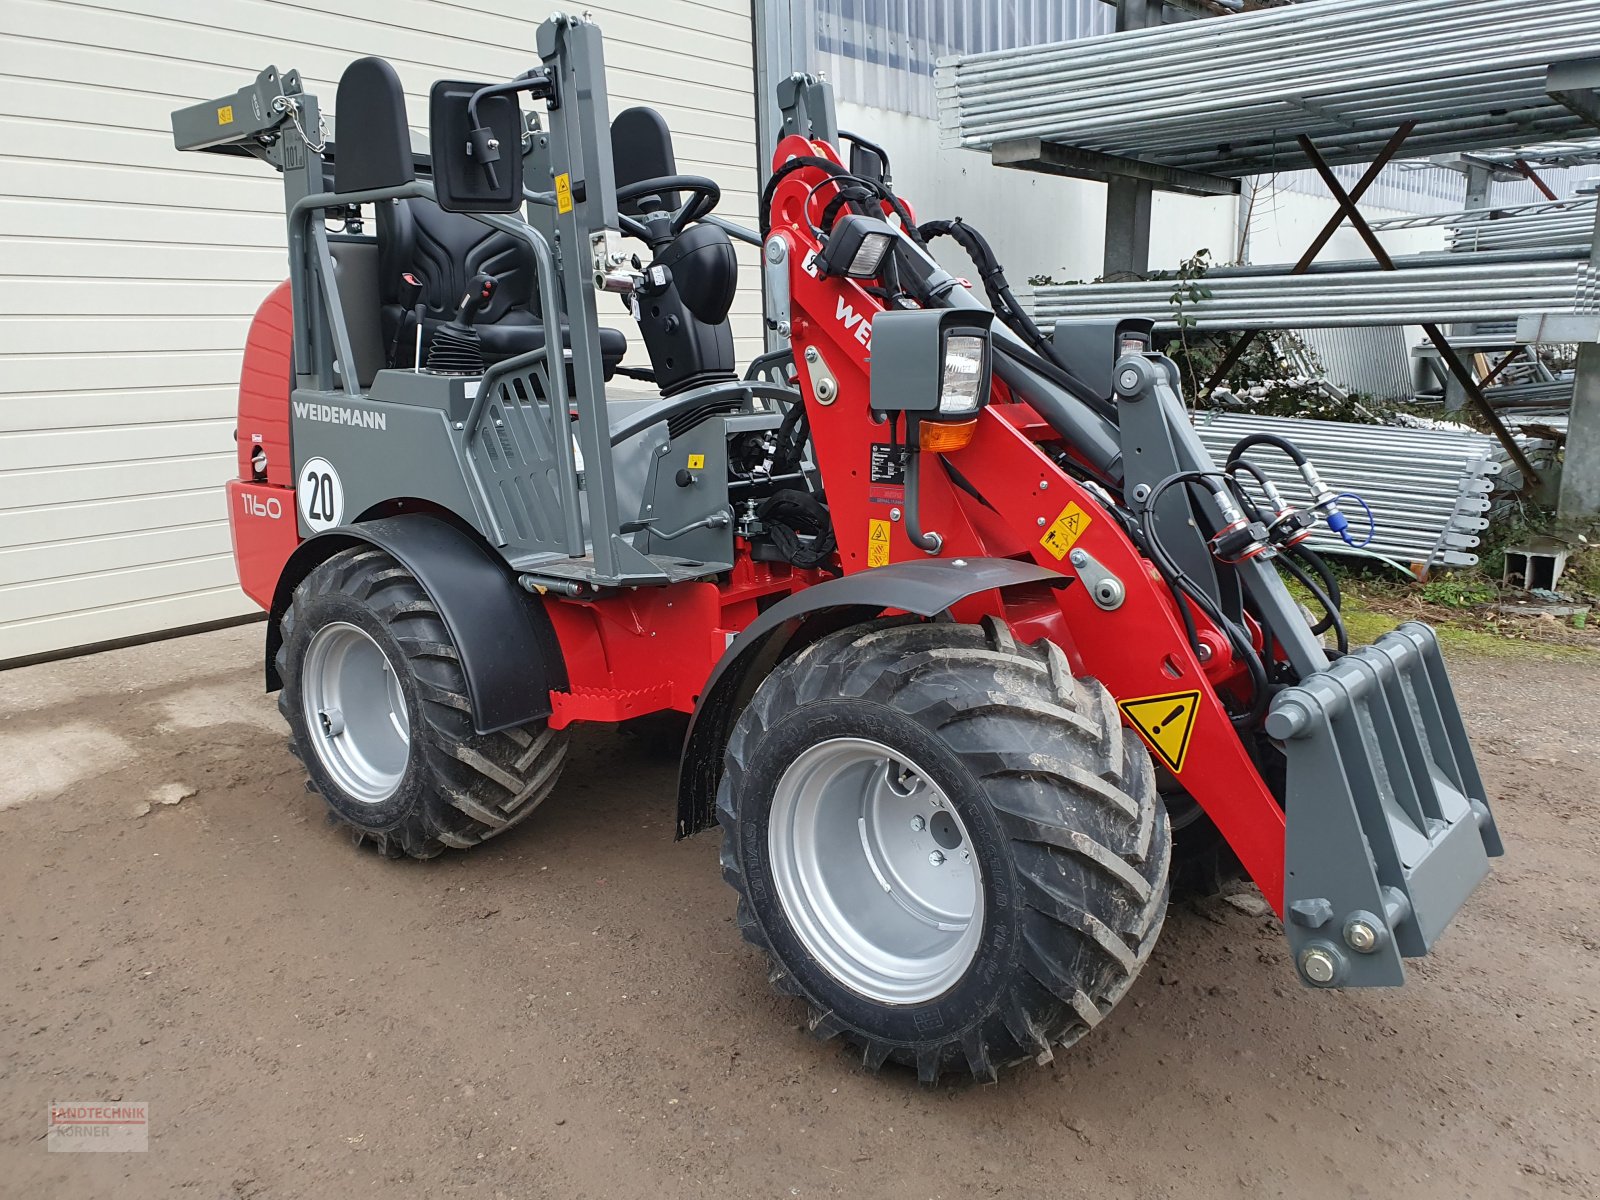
column 276, row 121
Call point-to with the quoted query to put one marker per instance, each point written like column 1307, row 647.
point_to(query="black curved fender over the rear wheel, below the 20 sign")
column 505, row 638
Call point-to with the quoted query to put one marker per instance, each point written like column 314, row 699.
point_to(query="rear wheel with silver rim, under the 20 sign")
column 378, row 710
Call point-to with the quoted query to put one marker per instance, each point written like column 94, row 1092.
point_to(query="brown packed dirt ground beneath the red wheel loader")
column 569, row 1012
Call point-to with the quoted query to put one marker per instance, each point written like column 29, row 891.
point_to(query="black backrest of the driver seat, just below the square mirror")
column 446, row 250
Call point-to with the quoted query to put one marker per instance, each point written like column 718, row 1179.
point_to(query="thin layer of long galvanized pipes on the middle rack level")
column 1444, row 295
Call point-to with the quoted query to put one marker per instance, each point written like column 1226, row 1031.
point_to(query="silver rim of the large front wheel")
column 874, row 871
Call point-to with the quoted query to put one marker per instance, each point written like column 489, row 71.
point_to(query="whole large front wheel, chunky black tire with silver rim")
column 946, row 844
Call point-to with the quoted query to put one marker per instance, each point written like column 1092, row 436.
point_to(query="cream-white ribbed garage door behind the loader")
column 130, row 271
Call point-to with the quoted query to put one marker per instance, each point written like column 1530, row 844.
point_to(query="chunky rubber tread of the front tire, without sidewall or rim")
column 1074, row 796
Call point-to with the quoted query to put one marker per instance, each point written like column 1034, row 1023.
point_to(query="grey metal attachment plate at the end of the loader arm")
column 1390, row 828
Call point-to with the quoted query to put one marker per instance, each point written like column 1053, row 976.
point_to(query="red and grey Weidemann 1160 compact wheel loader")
column 975, row 639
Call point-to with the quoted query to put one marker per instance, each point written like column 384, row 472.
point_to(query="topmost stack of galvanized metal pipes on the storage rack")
column 1230, row 95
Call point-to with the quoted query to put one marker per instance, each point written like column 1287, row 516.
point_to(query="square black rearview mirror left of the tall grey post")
column 478, row 156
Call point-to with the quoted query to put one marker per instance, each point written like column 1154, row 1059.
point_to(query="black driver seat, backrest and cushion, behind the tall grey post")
column 444, row 252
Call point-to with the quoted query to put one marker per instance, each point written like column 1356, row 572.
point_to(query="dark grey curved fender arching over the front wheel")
column 922, row 588
